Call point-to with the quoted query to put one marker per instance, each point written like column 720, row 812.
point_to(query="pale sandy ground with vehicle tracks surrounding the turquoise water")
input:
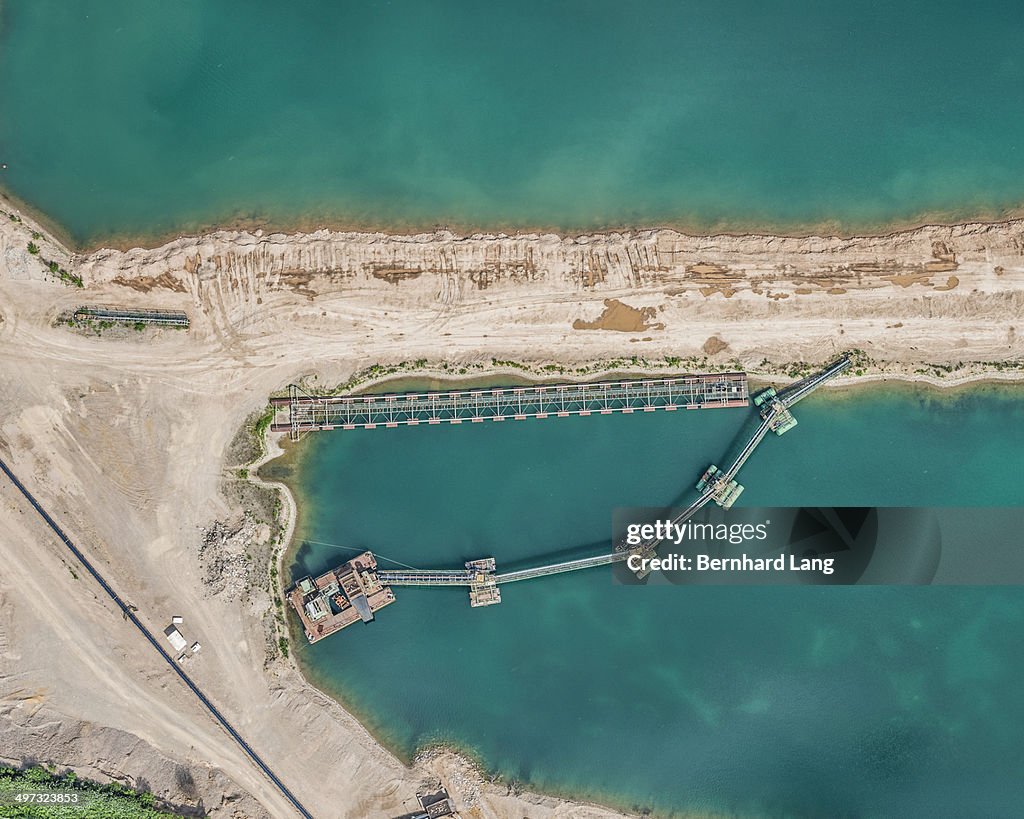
column 125, row 438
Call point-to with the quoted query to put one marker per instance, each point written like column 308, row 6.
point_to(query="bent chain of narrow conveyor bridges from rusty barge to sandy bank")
column 772, row 413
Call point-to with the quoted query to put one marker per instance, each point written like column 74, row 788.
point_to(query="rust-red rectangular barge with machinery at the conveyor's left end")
column 348, row 594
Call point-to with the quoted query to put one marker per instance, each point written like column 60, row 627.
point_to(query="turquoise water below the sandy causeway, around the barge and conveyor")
column 817, row 702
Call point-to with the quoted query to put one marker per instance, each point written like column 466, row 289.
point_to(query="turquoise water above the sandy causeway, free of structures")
column 138, row 118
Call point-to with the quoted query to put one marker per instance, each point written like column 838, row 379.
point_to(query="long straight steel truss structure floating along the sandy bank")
column 300, row 413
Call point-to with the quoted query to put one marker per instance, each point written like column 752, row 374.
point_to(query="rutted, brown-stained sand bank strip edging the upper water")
column 986, row 258
